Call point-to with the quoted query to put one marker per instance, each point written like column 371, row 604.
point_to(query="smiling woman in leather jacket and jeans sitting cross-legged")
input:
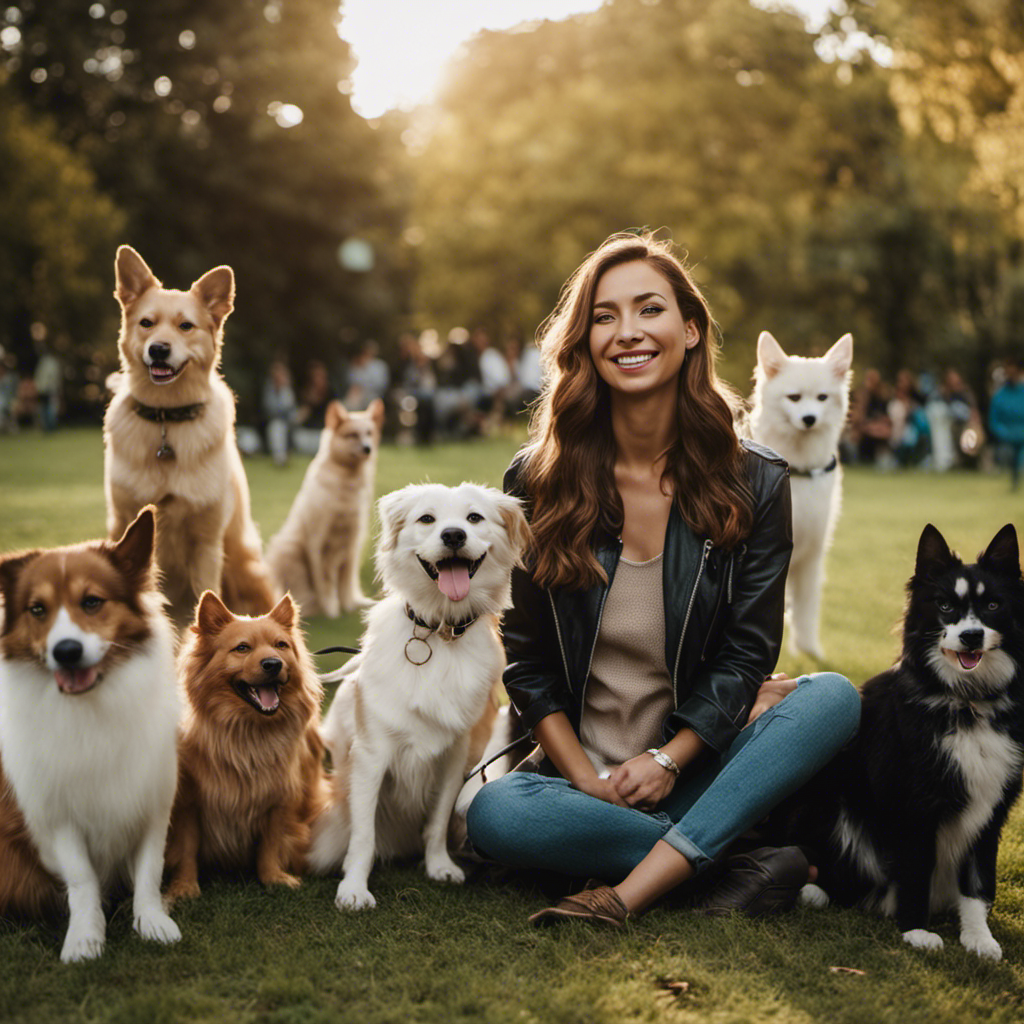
column 641, row 638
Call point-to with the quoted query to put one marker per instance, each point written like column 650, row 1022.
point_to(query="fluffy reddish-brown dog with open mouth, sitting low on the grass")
column 252, row 777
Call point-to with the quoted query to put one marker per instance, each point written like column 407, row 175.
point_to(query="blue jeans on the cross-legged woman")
column 531, row 821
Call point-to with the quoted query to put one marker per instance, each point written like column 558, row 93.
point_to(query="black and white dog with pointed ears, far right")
column 907, row 820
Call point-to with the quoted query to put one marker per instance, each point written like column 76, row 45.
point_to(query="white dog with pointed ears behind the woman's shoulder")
column 799, row 409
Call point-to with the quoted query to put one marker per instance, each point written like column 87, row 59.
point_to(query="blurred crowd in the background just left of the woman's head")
column 467, row 388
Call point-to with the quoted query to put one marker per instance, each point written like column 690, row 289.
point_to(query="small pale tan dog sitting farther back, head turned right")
column 316, row 556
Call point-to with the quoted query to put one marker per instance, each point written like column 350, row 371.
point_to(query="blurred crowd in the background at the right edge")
column 936, row 422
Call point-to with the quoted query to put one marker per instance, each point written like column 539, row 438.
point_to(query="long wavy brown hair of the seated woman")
column 569, row 467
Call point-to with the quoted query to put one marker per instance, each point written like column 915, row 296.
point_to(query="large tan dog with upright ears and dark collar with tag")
column 169, row 435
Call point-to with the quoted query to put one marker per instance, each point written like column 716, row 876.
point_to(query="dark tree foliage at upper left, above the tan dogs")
column 225, row 133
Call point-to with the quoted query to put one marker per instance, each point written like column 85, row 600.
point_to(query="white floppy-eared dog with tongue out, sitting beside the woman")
column 399, row 730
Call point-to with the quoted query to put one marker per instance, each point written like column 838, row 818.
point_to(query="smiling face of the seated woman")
column 638, row 336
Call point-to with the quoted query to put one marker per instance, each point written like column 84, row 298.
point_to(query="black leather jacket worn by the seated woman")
column 723, row 618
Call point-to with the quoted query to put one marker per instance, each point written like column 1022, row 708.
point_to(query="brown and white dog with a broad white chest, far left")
column 89, row 717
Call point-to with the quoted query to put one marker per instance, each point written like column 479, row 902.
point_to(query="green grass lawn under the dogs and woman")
column 436, row 954
